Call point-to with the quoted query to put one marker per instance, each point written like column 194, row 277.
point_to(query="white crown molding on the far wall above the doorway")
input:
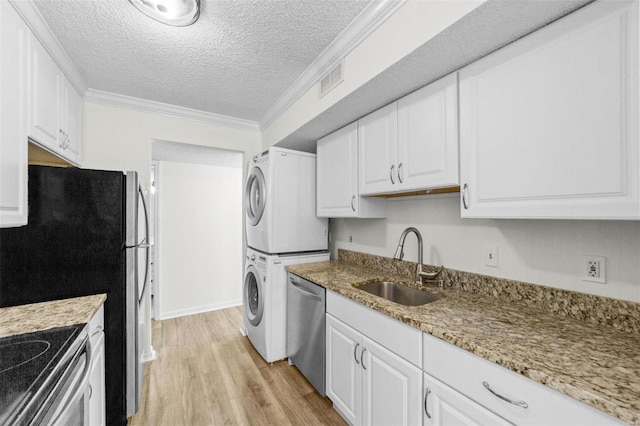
column 144, row 105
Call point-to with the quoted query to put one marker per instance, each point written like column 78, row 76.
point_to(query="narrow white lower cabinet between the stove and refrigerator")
column 97, row 412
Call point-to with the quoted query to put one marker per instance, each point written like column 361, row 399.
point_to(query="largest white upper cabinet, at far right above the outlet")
column 549, row 124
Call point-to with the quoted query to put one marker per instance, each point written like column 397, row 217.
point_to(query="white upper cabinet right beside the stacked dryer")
column 337, row 168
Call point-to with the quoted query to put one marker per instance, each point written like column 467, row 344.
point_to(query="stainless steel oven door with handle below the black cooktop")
column 70, row 405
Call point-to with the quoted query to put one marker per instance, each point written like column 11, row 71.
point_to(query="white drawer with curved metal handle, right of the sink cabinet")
column 468, row 373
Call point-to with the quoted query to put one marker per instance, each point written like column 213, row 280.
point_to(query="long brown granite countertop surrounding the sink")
column 593, row 363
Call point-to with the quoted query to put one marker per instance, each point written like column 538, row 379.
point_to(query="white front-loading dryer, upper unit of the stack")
column 281, row 203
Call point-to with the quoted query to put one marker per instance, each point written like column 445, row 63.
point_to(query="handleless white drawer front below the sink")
column 396, row 336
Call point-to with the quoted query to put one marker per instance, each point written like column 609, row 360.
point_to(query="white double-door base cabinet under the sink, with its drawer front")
column 370, row 384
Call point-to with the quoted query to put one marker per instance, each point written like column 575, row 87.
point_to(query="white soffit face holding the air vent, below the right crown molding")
column 412, row 25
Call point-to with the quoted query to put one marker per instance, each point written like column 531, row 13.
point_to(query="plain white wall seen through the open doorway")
column 200, row 238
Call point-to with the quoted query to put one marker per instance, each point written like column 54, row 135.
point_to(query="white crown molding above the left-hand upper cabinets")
column 34, row 20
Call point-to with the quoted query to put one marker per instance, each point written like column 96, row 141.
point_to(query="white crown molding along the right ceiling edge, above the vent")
column 371, row 17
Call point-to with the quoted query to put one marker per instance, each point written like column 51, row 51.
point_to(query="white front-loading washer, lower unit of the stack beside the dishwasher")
column 265, row 300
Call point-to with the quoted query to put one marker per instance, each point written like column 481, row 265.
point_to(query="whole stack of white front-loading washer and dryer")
column 282, row 229
